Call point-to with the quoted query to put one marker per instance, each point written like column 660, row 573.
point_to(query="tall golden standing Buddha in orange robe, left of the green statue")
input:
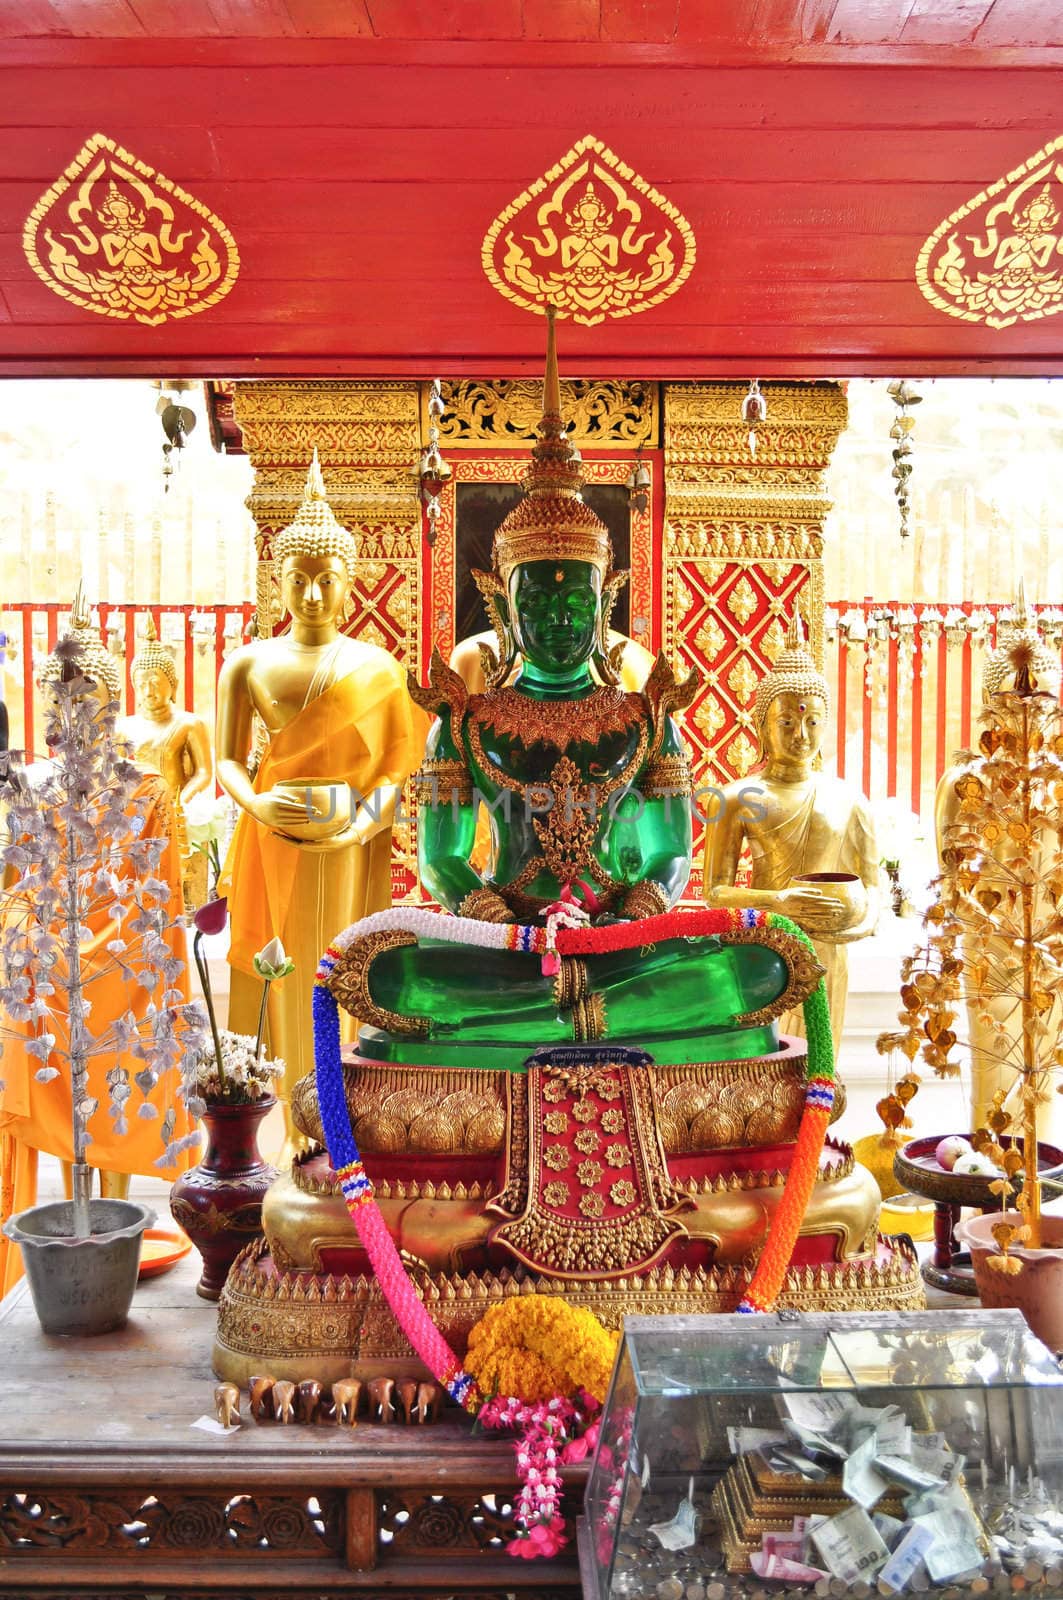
column 313, row 846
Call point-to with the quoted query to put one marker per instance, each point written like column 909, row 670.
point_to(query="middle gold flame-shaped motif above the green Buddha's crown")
column 601, row 241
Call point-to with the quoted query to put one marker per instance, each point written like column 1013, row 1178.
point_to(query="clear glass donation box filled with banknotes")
column 828, row 1457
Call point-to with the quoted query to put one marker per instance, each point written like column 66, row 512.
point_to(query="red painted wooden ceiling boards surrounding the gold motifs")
column 812, row 145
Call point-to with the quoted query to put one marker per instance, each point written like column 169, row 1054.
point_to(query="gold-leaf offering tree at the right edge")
column 995, row 937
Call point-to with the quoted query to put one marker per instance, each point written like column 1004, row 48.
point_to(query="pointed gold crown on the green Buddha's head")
column 552, row 524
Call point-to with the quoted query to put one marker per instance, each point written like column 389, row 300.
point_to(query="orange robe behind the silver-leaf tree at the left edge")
column 38, row 1116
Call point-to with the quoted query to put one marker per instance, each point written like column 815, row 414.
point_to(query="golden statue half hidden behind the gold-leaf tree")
column 992, row 1063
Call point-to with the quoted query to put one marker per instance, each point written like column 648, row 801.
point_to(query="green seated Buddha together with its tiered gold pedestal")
column 566, row 1087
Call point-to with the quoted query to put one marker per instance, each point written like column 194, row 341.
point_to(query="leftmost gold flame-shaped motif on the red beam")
column 121, row 239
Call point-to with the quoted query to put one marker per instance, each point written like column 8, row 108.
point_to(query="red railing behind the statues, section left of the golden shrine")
column 199, row 639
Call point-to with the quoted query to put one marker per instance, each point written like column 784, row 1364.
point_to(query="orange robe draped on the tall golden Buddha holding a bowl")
column 364, row 732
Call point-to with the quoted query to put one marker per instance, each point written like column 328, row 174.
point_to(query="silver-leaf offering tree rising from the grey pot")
column 73, row 860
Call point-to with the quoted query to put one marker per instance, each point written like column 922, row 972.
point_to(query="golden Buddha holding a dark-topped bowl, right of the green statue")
column 811, row 838
